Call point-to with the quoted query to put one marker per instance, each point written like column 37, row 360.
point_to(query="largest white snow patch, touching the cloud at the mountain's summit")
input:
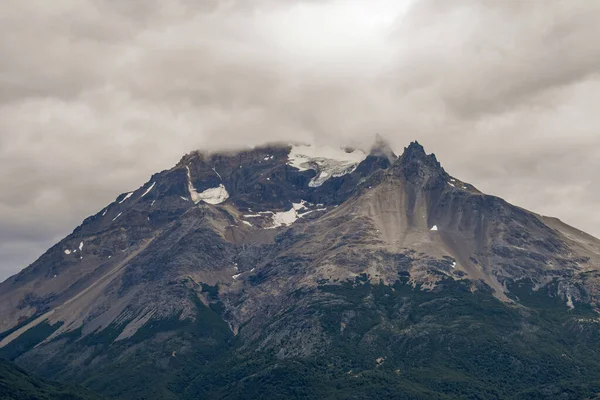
column 327, row 162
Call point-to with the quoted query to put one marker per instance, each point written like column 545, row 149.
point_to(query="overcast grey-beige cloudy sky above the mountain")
column 95, row 96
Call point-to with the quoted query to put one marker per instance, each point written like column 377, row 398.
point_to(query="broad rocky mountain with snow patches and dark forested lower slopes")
column 291, row 271
